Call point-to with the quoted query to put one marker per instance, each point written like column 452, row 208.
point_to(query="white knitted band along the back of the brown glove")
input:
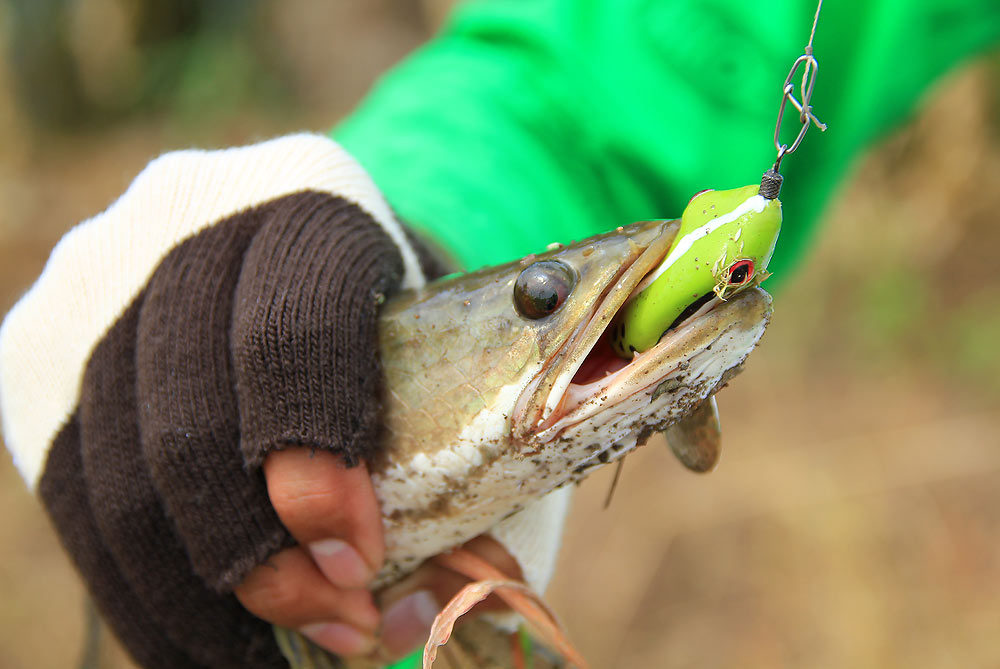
column 98, row 268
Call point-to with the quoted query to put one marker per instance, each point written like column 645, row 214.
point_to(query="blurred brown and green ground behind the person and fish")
column 855, row 519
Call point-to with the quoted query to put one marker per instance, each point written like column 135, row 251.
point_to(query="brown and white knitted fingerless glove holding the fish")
column 224, row 306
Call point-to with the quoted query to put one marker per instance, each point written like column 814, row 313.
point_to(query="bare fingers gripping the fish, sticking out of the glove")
column 320, row 586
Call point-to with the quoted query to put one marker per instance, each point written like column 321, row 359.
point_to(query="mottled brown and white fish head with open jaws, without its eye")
column 480, row 414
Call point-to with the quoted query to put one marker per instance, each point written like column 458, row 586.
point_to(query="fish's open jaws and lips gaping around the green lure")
column 586, row 380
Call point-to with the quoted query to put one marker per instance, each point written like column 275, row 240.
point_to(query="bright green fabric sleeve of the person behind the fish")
column 527, row 122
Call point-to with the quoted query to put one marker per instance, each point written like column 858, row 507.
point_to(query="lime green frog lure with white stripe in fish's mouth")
column 723, row 246
